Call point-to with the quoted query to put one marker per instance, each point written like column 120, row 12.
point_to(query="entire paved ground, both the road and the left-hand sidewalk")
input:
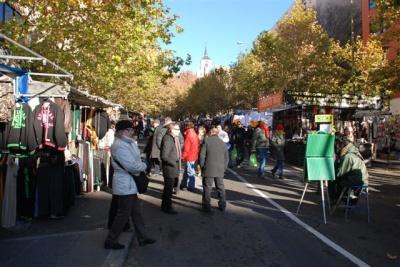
column 254, row 231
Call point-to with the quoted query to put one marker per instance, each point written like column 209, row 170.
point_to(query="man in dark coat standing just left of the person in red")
column 171, row 165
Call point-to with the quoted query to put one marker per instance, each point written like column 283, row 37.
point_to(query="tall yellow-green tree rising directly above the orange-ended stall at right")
column 297, row 55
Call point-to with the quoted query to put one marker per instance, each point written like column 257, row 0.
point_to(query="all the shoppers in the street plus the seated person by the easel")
column 179, row 151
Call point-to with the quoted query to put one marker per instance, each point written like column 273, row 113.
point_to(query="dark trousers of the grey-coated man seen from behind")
column 207, row 187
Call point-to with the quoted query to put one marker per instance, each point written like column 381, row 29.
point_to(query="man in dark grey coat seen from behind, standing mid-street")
column 214, row 159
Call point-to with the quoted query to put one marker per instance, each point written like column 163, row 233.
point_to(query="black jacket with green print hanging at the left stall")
column 21, row 138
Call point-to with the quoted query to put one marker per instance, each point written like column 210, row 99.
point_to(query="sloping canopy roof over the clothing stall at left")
column 76, row 96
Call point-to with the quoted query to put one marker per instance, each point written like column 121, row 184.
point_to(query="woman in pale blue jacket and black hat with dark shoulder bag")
column 126, row 161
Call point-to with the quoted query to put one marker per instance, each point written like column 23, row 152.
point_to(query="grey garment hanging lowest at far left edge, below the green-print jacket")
column 9, row 205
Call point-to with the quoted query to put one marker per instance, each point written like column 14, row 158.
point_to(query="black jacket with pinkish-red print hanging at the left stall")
column 49, row 126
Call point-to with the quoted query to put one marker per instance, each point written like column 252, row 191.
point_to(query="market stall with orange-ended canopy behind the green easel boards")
column 297, row 110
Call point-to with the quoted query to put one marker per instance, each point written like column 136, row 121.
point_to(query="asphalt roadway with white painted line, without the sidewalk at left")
column 254, row 230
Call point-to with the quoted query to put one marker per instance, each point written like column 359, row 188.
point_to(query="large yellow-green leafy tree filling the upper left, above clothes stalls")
column 111, row 46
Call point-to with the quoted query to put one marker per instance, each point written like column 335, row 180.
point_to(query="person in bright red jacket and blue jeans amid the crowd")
column 189, row 156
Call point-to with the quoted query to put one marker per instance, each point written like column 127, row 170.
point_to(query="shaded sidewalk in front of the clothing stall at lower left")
column 76, row 240
